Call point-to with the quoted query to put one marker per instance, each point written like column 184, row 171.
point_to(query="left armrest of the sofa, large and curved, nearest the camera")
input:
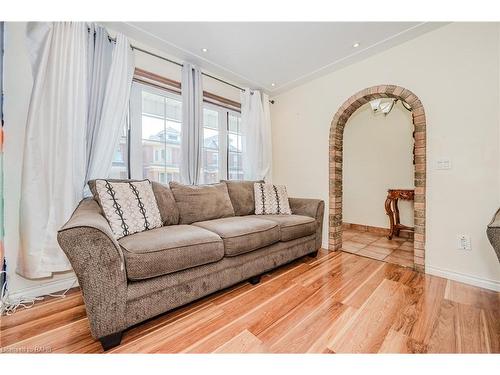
column 98, row 262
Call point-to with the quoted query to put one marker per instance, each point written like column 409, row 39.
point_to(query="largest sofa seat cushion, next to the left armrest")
column 169, row 249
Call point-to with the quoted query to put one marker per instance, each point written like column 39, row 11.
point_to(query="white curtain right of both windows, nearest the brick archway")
column 256, row 131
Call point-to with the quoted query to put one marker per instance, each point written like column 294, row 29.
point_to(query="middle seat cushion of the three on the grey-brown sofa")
column 242, row 234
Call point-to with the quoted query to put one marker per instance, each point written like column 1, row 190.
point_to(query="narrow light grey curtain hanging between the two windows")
column 192, row 132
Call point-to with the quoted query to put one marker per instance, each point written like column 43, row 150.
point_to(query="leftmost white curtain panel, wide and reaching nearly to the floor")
column 54, row 151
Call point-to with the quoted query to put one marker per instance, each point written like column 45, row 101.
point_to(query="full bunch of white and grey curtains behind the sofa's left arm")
column 78, row 107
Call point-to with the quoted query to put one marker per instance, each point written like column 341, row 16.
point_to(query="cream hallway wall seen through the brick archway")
column 378, row 155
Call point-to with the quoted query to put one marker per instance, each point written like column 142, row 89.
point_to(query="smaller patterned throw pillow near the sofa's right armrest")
column 271, row 199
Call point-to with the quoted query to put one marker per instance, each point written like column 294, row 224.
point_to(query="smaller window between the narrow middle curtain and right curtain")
column 222, row 145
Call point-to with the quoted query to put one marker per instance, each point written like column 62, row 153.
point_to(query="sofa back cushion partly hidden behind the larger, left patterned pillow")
column 164, row 198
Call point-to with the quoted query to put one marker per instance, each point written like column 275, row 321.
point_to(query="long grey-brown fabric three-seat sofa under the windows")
column 137, row 277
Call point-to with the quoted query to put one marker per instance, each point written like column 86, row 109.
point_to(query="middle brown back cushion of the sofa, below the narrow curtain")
column 202, row 202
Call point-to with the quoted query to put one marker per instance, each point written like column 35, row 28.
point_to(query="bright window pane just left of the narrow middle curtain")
column 155, row 124
